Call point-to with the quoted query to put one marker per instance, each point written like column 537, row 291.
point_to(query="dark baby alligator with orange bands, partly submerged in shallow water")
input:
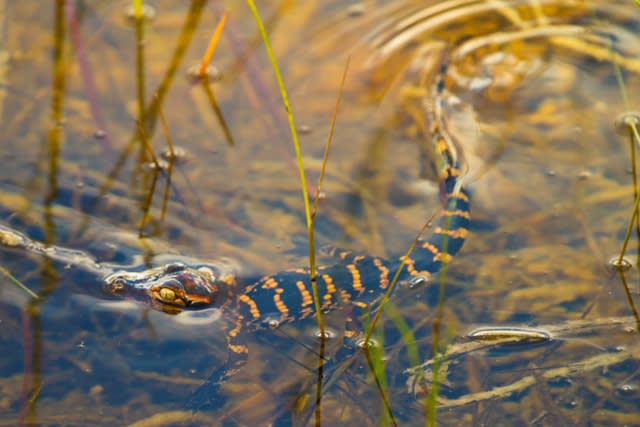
column 357, row 281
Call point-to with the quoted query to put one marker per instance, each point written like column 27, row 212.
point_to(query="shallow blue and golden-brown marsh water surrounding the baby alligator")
column 531, row 92
